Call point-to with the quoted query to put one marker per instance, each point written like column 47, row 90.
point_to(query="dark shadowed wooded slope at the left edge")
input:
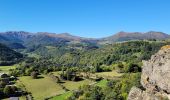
column 8, row 56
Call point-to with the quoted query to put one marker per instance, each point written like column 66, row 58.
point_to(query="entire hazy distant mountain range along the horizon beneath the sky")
column 21, row 38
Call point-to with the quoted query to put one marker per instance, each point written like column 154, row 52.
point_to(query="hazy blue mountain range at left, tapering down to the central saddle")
column 28, row 39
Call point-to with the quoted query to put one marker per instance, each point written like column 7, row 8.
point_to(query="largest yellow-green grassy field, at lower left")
column 41, row 88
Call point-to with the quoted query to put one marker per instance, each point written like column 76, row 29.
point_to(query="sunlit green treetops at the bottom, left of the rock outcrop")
column 113, row 90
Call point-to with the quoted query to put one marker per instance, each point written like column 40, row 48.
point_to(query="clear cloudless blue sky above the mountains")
column 87, row 18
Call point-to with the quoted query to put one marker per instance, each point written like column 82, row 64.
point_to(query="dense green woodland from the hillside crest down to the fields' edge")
column 54, row 58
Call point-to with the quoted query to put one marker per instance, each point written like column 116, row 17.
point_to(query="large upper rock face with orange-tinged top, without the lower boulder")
column 156, row 72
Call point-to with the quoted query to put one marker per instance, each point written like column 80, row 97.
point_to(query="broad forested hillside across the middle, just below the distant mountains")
column 133, row 51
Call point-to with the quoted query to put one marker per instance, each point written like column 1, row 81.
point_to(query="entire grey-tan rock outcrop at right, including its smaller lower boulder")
column 155, row 78
